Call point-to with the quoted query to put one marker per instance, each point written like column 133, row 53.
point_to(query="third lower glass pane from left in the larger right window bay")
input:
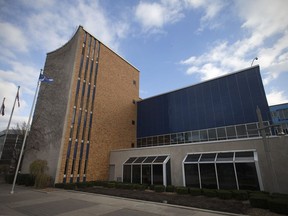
column 226, row 176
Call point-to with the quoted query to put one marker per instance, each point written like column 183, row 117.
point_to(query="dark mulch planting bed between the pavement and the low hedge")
column 211, row 203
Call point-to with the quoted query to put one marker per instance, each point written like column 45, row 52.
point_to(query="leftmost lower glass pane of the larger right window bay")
column 192, row 175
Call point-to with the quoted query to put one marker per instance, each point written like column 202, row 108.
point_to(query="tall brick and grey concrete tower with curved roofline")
column 86, row 112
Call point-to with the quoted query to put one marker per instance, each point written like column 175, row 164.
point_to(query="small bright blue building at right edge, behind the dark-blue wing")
column 279, row 115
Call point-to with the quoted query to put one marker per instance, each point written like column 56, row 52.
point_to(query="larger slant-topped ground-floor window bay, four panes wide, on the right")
column 222, row 170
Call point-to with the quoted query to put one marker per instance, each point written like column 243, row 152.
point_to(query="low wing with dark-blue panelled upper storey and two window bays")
column 208, row 135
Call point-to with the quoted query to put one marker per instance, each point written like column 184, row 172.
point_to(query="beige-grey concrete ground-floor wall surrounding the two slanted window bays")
column 278, row 151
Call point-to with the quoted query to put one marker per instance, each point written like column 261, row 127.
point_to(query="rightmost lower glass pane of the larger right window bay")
column 247, row 176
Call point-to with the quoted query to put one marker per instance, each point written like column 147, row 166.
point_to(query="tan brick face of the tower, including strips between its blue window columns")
column 112, row 114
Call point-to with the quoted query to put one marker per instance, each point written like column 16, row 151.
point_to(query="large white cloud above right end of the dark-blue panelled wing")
column 265, row 35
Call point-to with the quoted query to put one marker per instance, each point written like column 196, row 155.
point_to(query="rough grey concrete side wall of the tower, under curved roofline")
column 45, row 139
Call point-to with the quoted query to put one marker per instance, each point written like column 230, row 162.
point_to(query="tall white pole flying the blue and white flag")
column 26, row 133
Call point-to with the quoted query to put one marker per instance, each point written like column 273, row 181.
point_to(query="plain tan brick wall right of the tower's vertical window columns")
column 113, row 112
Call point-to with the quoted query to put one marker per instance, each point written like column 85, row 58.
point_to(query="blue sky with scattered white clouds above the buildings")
column 174, row 43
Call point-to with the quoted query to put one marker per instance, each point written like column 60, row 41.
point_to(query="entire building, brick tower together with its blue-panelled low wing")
column 91, row 125
